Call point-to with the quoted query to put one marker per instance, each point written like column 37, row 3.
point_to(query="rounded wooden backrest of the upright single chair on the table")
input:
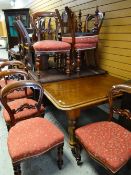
column 45, row 24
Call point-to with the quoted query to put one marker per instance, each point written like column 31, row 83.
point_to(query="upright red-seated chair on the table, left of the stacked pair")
column 48, row 44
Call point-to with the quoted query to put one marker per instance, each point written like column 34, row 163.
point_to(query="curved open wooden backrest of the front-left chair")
column 16, row 86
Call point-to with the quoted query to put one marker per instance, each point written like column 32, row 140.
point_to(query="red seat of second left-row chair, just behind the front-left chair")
column 24, row 114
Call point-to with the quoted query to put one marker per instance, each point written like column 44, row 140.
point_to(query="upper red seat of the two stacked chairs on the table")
column 82, row 39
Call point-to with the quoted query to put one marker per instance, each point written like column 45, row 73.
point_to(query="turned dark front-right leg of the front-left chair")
column 60, row 156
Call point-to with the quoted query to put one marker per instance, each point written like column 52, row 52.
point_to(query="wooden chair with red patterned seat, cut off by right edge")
column 107, row 142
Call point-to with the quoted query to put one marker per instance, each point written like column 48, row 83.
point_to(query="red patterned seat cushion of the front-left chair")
column 32, row 137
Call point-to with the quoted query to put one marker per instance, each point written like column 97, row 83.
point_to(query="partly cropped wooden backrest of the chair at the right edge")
column 117, row 90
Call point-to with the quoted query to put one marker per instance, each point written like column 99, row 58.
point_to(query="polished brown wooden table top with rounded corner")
column 80, row 92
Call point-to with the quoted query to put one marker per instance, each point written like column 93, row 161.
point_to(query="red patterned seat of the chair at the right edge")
column 107, row 142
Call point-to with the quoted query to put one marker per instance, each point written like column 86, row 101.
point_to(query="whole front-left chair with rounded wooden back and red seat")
column 30, row 137
